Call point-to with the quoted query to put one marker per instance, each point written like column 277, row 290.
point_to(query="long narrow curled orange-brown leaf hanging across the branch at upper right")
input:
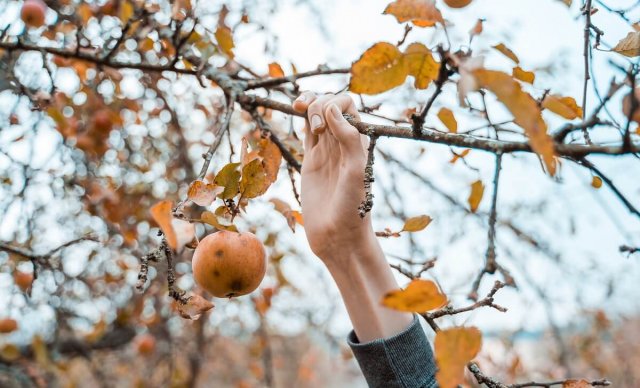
column 524, row 109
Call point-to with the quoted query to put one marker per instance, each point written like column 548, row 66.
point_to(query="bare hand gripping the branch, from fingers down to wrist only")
column 335, row 155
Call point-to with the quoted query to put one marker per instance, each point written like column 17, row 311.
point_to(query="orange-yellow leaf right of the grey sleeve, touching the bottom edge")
column 454, row 348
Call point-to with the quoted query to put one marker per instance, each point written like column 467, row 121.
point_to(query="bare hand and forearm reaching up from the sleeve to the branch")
column 332, row 189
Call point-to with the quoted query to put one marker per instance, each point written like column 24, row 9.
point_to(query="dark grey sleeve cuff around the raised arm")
column 404, row 360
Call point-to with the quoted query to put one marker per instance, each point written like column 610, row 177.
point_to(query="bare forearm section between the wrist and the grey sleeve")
column 363, row 277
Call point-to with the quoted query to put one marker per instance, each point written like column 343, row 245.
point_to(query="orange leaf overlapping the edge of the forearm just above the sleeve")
column 420, row 296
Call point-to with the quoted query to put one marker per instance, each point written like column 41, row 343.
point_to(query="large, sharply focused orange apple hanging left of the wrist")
column 229, row 264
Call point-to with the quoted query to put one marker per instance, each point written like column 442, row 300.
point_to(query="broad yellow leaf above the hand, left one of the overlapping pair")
column 380, row 68
